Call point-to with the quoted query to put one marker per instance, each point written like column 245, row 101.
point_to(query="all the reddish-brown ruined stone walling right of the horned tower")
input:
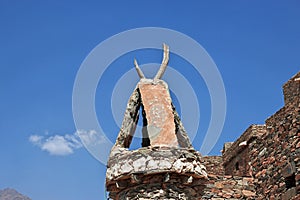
column 268, row 154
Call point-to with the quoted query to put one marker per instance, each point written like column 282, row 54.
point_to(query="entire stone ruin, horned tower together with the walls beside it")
column 263, row 163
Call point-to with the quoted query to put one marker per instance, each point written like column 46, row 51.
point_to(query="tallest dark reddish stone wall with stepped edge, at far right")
column 275, row 158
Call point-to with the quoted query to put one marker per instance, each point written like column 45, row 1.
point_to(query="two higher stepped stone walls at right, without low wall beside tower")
column 272, row 157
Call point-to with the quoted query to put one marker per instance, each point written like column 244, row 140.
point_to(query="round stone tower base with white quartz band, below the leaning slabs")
column 161, row 172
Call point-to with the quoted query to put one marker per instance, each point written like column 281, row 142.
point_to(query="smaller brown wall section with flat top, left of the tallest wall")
column 236, row 158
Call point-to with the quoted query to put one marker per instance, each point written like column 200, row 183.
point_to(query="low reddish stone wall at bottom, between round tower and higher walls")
column 229, row 187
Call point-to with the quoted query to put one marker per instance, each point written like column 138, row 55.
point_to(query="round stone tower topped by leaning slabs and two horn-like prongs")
column 166, row 166
